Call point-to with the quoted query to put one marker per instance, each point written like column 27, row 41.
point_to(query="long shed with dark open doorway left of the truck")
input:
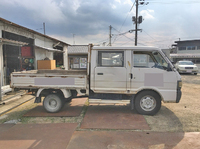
column 21, row 48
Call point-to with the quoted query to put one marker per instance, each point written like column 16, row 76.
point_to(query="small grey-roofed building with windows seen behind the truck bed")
column 77, row 56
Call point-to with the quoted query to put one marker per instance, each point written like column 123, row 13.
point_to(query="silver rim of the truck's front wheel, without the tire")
column 148, row 103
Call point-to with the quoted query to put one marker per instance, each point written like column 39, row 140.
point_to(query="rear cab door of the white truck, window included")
column 110, row 72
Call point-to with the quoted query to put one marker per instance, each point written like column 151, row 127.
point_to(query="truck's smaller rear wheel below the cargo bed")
column 53, row 103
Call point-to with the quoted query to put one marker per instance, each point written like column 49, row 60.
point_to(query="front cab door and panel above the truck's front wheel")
column 149, row 71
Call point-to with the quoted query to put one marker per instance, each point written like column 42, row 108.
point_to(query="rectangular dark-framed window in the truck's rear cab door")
column 111, row 59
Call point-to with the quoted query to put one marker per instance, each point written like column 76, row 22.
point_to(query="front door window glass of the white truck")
column 143, row 60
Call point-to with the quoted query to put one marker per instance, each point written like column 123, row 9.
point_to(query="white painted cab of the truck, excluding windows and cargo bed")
column 118, row 79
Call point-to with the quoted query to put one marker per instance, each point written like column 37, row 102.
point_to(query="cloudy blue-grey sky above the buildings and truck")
column 81, row 22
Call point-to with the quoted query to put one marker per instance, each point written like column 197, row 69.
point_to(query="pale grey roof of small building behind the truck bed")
column 77, row 49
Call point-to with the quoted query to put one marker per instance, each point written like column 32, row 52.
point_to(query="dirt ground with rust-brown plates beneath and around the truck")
column 105, row 126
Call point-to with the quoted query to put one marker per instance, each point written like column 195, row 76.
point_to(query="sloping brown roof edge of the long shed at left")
column 32, row 31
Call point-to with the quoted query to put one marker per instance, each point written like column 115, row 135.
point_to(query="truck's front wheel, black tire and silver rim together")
column 147, row 103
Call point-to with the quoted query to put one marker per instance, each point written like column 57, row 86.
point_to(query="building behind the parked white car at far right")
column 187, row 50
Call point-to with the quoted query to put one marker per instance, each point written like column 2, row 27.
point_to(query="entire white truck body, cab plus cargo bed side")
column 125, row 78
